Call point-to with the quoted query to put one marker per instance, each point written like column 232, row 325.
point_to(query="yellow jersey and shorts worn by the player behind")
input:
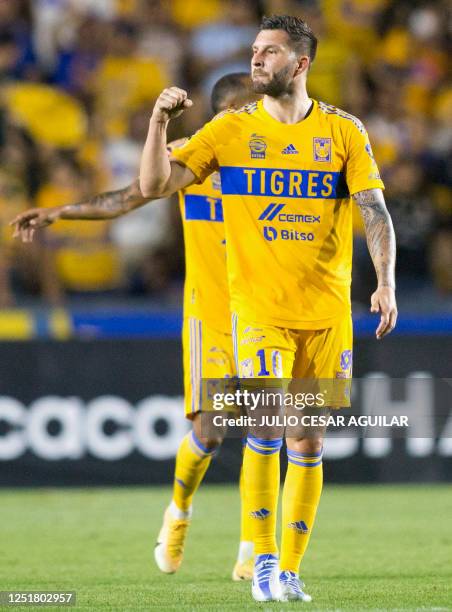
column 206, row 336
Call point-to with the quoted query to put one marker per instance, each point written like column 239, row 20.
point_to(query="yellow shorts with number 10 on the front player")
column 323, row 356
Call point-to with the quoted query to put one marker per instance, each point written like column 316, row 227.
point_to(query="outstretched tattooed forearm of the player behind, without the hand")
column 107, row 205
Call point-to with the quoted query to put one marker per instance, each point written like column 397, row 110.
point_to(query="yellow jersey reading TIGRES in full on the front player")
column 287, row 209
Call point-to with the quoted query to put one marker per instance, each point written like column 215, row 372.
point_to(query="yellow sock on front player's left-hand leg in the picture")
column 261, row 474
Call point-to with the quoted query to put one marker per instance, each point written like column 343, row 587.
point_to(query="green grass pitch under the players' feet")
column 379, row 548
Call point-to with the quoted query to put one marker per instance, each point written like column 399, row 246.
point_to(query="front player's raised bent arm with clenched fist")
column 159, row 176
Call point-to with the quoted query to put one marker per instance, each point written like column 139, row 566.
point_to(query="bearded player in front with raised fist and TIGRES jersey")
column 289, row 167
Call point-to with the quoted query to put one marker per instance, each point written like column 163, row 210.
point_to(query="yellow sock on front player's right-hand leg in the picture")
column 301, row 496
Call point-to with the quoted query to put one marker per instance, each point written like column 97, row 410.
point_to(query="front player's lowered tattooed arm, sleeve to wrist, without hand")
column 379, row 233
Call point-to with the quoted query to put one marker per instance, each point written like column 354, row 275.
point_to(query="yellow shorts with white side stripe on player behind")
column 207, row 357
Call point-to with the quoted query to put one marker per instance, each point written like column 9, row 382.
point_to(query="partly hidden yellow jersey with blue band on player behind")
column 206, row 294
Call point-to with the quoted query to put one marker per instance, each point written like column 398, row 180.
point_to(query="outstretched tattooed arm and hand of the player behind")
column 107, row 205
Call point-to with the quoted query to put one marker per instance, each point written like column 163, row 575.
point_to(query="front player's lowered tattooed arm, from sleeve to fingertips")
column 382, row 247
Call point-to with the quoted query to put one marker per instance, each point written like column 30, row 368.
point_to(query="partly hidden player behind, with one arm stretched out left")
column 207, row 342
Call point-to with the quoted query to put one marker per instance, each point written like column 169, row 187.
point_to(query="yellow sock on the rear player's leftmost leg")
column 192, row 461
